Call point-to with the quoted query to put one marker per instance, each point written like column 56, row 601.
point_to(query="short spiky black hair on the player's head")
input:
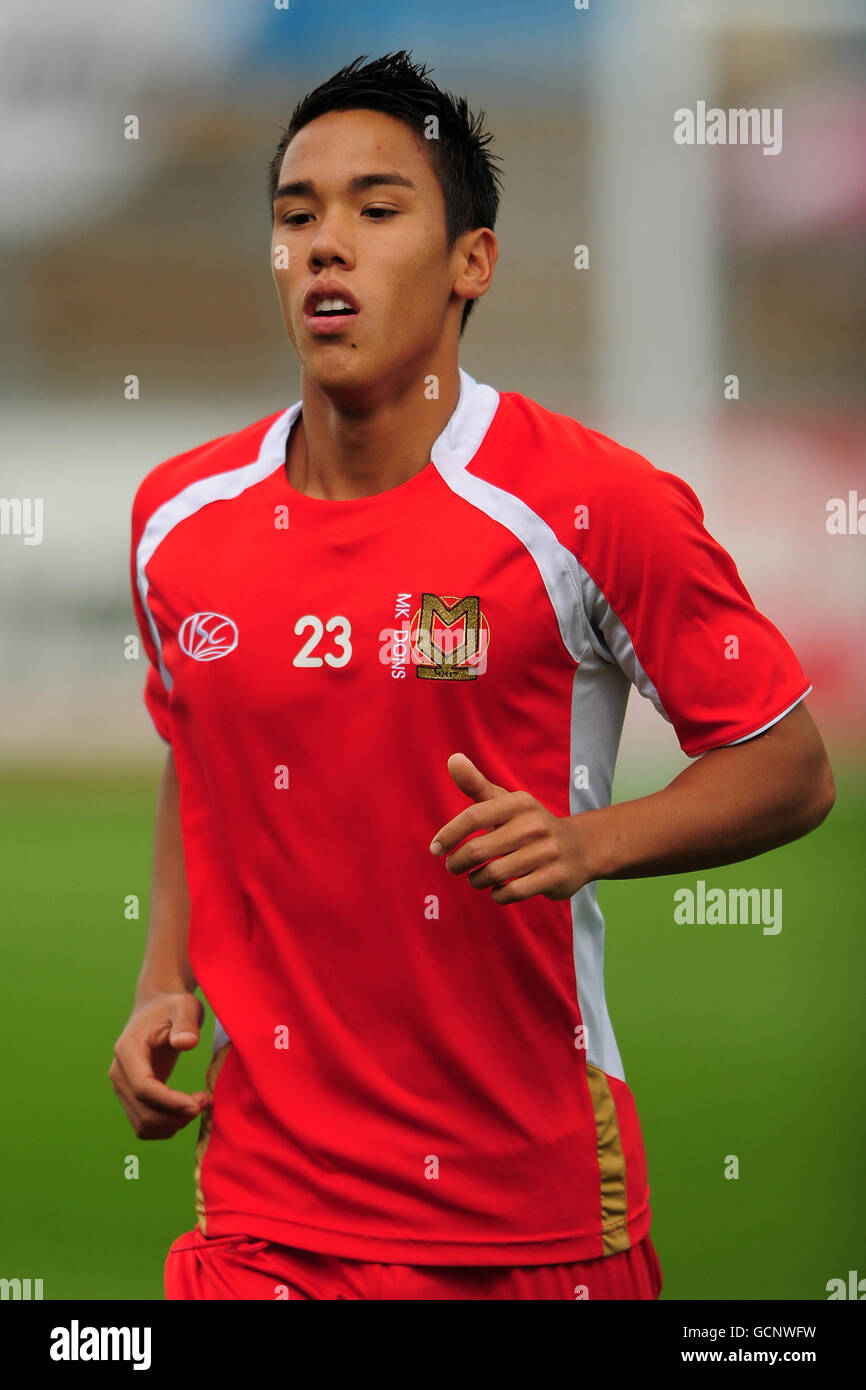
column 394, row 84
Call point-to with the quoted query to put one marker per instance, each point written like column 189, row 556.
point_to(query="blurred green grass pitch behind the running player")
column 735, row 1043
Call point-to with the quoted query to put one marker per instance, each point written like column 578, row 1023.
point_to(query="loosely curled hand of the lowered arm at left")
column 144, row 1056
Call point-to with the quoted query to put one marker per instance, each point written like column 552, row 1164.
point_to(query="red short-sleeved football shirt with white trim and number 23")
column 404, row 1070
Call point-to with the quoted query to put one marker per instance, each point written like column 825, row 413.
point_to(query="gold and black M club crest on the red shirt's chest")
column 450, row 639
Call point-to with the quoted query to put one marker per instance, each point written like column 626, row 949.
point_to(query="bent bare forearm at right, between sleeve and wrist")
column 729, row 806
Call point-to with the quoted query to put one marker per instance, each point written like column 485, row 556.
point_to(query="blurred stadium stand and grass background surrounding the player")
column 151, row 256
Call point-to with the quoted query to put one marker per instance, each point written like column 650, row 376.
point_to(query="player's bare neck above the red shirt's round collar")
column 338, row 455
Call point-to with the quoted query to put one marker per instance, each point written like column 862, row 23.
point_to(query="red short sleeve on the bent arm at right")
column 669, row 607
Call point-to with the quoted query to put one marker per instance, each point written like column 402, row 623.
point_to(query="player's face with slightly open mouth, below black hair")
column 383, row 244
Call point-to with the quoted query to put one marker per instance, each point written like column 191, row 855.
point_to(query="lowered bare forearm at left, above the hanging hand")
column 166, row 965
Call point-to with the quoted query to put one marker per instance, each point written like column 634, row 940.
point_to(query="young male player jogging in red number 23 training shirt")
column 391, row 635
